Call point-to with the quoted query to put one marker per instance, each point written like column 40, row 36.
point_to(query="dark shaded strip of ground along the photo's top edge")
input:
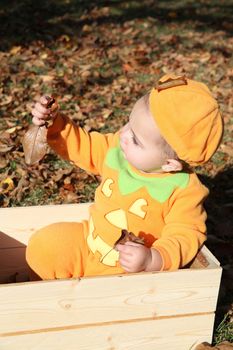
column 24, row 21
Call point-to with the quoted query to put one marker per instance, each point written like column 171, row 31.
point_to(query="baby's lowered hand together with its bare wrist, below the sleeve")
column 135, row 257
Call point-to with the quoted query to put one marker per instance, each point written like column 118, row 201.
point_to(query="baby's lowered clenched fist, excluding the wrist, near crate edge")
column 134, row 257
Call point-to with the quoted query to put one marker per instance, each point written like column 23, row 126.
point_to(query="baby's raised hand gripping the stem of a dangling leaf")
column 42, row 112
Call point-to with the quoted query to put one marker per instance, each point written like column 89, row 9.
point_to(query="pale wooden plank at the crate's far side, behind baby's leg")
column 20, row 222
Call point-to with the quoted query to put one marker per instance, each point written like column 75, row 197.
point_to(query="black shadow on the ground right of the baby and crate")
column 219, row 206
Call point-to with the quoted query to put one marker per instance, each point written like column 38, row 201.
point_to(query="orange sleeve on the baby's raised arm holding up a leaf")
column 86, row 150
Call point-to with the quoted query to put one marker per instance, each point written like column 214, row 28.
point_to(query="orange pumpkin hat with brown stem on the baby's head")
column 188, row 118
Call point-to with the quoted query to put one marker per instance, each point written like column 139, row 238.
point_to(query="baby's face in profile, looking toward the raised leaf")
column 141, row 141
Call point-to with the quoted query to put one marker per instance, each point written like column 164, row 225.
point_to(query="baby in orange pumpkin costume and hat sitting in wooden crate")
column 147, row 185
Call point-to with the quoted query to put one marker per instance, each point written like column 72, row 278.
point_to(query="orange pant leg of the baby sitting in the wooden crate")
column 58, row 250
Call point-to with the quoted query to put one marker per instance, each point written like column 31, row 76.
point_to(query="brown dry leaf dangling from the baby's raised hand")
column 35, row 144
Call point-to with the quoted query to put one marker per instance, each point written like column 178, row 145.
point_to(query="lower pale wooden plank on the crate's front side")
column 181, row 333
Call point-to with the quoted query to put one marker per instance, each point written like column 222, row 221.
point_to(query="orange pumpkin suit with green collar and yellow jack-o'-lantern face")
column 165, row 209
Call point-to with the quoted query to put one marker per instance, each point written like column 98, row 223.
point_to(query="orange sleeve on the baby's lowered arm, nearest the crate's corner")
column 185, row 230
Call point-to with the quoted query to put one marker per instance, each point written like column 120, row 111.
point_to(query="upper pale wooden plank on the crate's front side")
column 108, row 298
